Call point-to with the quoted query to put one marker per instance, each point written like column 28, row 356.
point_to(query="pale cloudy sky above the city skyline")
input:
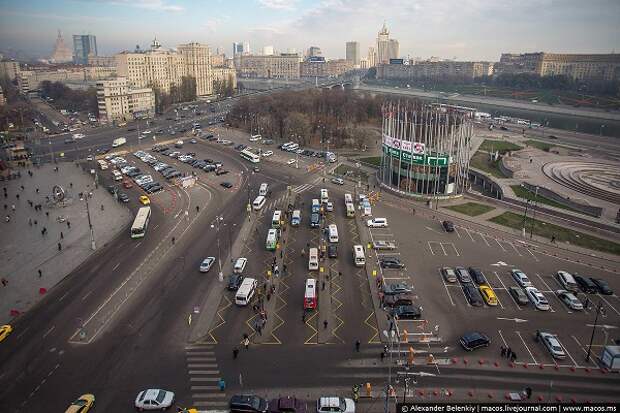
column 453, row 29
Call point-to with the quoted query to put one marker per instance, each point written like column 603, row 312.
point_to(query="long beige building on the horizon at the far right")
column 575, row 66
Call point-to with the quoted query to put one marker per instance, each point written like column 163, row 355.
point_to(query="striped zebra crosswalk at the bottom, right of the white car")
column 204, row 378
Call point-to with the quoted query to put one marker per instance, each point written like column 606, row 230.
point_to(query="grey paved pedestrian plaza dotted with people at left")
column 37, row 240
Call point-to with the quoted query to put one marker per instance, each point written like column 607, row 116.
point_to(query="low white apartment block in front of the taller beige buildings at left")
column 117, row 101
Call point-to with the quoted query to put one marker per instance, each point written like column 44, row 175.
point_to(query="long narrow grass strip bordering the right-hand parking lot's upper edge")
column 562, row 234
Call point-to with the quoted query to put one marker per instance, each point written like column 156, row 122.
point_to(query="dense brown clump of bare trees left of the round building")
column 311, row 117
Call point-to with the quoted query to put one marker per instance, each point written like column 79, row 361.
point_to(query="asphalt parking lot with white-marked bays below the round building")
column 424, row 247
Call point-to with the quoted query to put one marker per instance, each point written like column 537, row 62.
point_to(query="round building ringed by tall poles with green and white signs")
column 425, row 149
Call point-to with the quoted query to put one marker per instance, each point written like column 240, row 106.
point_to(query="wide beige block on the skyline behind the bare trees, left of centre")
column 281, row 66
